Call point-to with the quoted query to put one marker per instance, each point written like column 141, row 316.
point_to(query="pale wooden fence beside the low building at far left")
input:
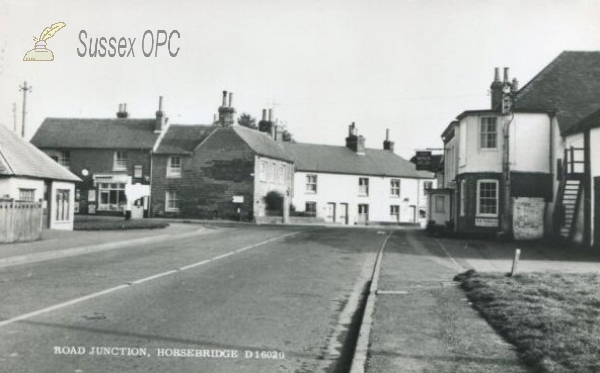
column 20, row 221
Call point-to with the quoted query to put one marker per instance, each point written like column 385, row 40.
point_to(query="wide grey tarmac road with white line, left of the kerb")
column 243, row 299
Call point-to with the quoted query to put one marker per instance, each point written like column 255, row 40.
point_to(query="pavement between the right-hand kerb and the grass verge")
column 423, row 322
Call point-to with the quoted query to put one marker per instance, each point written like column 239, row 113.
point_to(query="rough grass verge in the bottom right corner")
column 552, row 318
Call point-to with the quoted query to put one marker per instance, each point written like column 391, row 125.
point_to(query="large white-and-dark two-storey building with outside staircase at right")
column 505, row 168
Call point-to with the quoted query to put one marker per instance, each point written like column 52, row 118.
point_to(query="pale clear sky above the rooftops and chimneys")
column 410, row 66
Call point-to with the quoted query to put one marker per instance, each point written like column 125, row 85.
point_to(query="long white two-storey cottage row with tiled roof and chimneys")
column 353, row 184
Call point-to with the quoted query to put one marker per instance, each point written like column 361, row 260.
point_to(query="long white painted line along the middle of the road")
column 136, row 282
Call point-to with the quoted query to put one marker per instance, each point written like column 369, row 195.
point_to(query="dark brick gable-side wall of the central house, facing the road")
column 221, row 168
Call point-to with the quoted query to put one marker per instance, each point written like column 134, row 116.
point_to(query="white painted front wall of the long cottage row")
column 339, row 189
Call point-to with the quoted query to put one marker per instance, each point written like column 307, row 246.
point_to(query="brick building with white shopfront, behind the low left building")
column 111, row 156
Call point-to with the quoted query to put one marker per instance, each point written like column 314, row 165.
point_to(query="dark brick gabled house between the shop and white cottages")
column 218, row 171
